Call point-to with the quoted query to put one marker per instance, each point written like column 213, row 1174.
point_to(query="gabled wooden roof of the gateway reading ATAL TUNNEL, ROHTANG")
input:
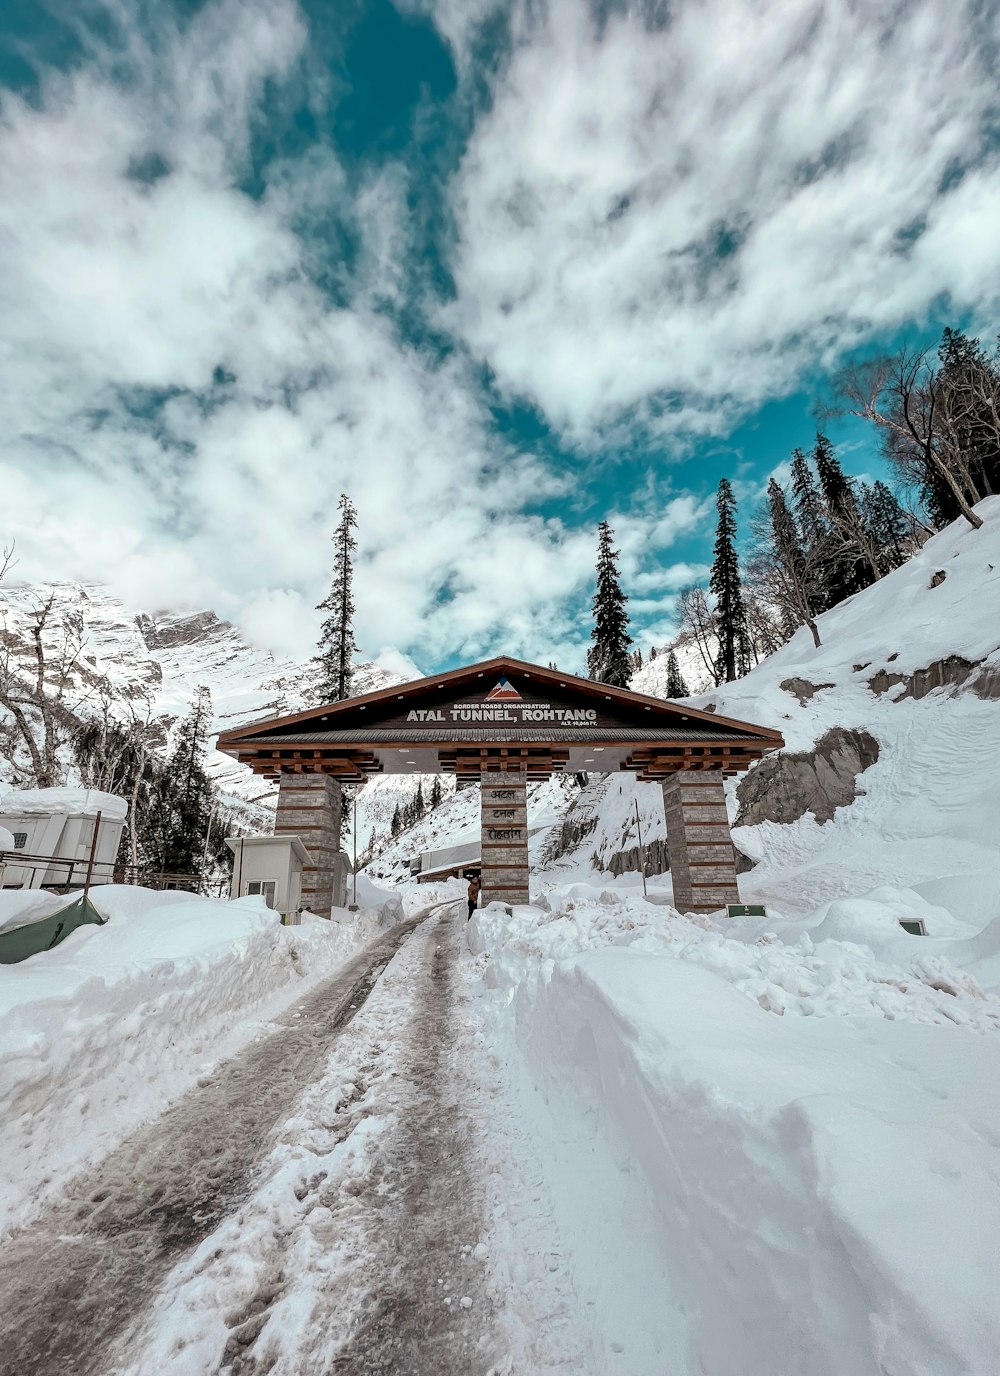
column 500, row 713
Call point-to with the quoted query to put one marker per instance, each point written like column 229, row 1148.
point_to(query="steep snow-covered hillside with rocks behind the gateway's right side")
column 893, row 744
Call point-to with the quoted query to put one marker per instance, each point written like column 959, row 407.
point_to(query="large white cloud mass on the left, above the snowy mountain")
column 122, row 294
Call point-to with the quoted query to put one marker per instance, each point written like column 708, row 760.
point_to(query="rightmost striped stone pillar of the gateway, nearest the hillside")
column 701, row 850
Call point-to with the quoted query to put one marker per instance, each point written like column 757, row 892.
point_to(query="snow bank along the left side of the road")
column 101, row 1033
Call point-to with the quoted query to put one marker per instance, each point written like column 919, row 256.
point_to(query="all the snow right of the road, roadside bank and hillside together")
column 786, row 1130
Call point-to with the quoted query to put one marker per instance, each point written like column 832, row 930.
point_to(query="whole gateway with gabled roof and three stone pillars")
column 504, row 723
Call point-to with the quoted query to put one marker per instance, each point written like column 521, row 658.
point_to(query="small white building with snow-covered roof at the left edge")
column 54, row 830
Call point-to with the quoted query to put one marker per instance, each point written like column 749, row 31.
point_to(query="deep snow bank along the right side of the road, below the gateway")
column 793, row 1137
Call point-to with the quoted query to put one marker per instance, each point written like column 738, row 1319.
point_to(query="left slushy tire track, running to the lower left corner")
column 83, row 1271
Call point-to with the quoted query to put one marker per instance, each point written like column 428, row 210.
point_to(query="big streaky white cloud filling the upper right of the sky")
column 808, row 140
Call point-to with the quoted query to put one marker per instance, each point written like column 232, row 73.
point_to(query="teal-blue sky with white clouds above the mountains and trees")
column 497, row 270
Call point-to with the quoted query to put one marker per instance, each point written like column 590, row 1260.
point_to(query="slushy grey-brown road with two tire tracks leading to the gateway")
column 76, row 1286
